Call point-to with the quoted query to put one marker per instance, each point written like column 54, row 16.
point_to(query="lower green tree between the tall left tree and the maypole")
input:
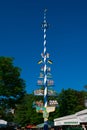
column 25, row 113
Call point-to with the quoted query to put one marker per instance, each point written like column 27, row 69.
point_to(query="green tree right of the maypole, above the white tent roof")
column 70, row 101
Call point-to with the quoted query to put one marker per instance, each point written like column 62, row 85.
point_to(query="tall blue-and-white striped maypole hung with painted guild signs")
column 45, row 81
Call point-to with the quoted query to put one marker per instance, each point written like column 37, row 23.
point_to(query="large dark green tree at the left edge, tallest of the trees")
column 12, row 86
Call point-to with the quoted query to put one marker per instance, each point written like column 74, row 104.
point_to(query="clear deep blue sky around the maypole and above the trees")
column 21, row 37
